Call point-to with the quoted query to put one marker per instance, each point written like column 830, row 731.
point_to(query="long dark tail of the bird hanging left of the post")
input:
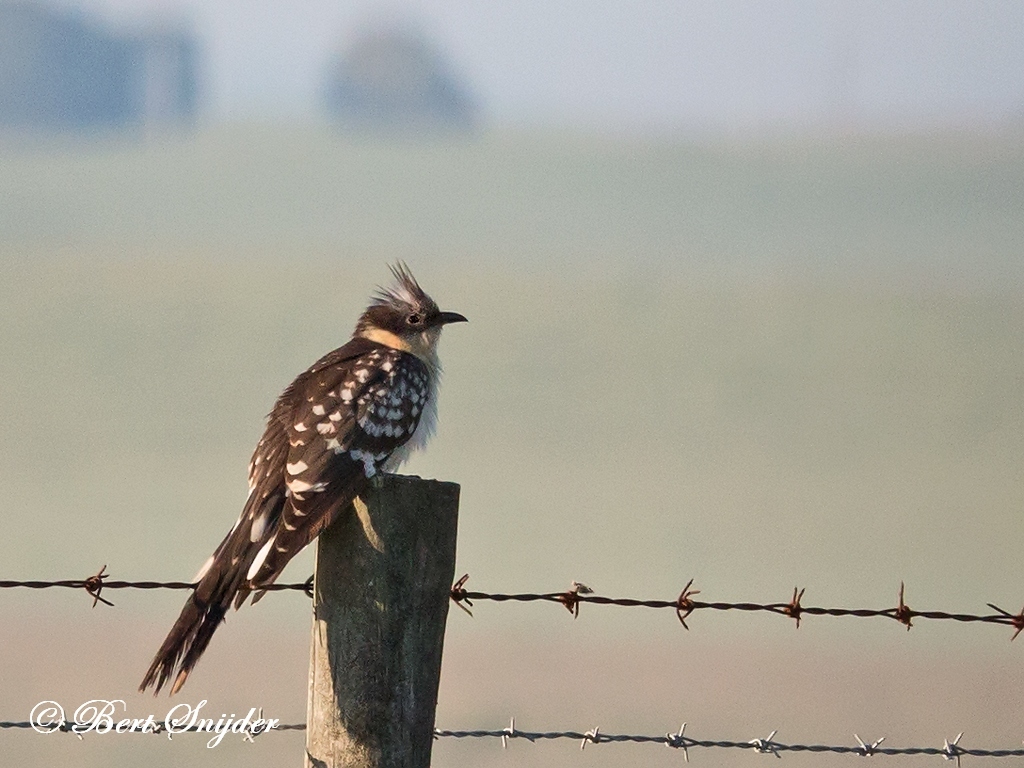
column 203, row 613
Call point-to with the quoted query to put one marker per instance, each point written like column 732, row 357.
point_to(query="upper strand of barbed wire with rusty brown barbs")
column 578, row 594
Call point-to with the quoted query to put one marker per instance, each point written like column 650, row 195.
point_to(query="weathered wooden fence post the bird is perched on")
column 383, row 577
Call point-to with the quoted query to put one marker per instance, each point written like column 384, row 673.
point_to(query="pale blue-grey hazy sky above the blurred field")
column 652, row 65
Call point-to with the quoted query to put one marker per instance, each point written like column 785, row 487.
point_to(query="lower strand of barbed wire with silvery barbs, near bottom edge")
column 678, row 741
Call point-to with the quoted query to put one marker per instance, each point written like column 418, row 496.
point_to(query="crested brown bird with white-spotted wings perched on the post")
column 357, row 413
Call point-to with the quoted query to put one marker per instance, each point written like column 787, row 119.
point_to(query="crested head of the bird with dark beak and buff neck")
column 404, row 317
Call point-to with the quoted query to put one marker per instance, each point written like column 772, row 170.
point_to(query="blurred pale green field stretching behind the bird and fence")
column 760, row 365
